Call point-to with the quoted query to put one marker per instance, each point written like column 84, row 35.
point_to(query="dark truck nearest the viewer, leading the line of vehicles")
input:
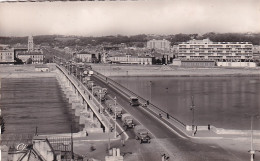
column 142, row 134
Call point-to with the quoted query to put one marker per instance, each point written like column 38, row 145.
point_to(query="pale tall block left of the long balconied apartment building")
column 159, row 44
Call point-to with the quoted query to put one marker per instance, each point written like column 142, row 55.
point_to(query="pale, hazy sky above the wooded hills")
column 129, row 17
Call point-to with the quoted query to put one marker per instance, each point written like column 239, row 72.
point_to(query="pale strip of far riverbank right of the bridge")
column 168, row 70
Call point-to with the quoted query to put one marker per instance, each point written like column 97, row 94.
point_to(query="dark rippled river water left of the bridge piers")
column 30, row 102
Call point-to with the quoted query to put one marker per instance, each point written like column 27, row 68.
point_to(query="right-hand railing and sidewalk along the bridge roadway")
column 125, row 91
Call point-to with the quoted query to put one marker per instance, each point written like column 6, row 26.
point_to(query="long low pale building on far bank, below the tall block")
column 128, row 59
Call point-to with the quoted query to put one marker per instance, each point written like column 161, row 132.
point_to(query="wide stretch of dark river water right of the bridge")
column 219, row 101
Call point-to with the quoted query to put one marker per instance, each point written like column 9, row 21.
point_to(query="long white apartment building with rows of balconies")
column 217, row 51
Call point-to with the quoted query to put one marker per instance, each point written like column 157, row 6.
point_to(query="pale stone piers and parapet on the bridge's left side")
column 86, row 110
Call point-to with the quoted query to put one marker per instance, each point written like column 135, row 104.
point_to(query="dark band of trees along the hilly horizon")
column 136, row 40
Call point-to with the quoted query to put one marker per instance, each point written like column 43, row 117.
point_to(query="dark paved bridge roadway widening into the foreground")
column 177, row 146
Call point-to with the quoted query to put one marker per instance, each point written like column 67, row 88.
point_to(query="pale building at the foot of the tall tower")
column 37, row 57
